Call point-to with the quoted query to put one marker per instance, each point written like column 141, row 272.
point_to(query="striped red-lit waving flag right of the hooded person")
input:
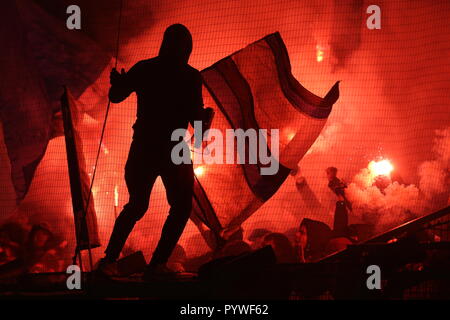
column 254, row 88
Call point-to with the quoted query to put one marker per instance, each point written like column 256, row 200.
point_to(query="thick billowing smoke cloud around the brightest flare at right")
column 399, row 202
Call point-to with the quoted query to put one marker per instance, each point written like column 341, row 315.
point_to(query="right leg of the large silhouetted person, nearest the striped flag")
column 178, row 181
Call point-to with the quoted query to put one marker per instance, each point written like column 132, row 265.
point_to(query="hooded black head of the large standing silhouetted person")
column 176, row 44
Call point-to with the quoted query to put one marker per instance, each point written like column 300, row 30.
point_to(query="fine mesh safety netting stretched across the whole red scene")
column 265, row 65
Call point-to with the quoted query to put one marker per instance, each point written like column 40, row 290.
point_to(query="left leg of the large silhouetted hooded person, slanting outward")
column 139, row 177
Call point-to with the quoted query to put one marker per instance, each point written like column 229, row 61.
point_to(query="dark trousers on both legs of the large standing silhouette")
column 143, row 166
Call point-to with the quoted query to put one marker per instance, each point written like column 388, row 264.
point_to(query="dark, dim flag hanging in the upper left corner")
column 37, row 58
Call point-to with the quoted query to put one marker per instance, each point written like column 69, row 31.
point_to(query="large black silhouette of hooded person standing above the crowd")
column 169, row 96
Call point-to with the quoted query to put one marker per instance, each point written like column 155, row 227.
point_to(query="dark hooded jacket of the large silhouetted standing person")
column 169, row 90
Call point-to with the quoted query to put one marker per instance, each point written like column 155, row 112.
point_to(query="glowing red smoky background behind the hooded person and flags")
column 394, row 104
